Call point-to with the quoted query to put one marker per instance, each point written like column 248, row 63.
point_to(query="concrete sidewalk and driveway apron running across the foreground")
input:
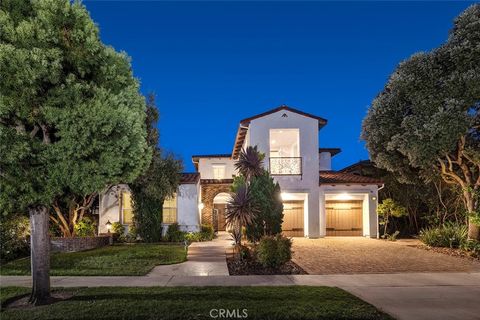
column 403, row 295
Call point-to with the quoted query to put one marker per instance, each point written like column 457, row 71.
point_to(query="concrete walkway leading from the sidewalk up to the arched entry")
column 204, row 259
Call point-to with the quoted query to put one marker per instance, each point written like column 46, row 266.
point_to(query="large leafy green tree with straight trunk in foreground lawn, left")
column 72, row 119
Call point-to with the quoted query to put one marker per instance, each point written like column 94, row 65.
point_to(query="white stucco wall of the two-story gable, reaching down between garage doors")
column 259, row 134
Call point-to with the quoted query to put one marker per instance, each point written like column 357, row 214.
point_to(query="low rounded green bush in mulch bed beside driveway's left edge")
column 274, row 251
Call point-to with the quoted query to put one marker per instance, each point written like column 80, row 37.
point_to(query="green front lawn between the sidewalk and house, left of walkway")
column 117, row 260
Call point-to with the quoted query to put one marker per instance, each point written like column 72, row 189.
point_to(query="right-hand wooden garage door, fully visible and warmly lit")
column 344, row 218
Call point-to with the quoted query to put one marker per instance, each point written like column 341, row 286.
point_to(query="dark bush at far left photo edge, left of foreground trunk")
column 14, row 238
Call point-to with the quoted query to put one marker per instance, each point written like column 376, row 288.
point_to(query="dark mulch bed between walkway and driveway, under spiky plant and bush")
column 249, row 267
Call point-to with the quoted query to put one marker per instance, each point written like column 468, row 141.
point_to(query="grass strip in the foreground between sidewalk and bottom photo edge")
column 294, row 302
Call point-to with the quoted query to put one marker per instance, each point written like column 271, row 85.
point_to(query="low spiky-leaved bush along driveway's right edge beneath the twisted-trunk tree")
column 451, row 235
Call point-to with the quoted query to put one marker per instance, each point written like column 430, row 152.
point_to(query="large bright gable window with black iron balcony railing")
column 285, row 152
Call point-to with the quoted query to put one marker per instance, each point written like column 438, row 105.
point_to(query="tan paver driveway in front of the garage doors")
column 347, row 255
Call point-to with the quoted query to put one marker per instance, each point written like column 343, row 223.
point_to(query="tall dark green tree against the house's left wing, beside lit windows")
column 159, row 182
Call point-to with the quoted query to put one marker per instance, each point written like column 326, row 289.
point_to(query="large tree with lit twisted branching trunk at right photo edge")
column 427, row 118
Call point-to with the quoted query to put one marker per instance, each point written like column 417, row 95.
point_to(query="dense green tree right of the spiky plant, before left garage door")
column 266, row 196
